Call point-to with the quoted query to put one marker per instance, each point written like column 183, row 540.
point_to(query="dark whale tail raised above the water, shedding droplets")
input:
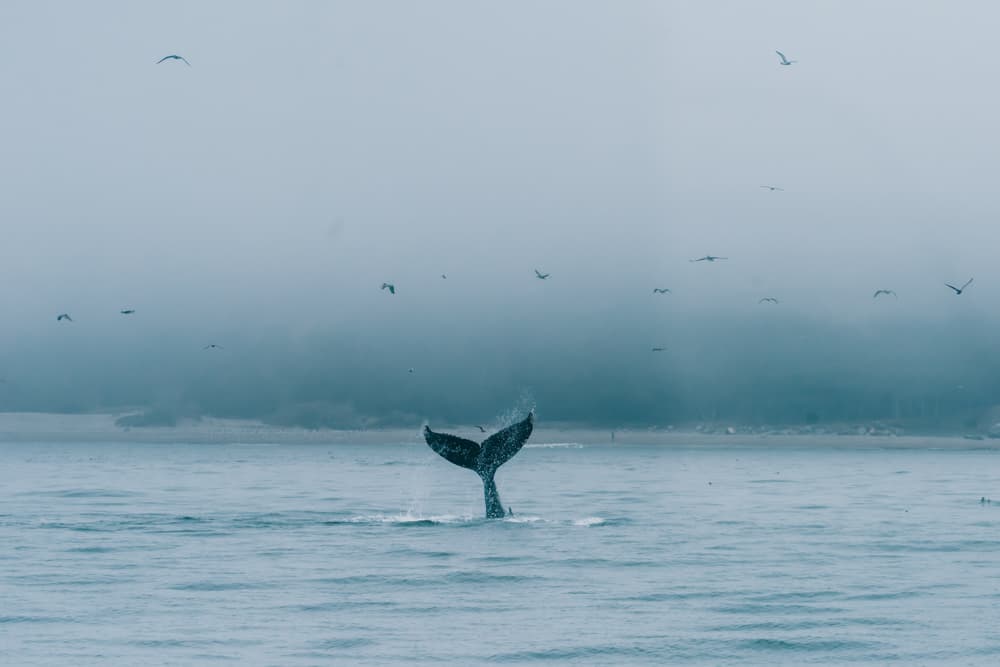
column 483, row 459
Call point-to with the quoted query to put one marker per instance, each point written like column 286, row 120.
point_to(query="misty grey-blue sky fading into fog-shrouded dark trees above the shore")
column 313, row 150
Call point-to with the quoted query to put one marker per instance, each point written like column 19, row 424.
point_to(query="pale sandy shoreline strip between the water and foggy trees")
column 66, row 428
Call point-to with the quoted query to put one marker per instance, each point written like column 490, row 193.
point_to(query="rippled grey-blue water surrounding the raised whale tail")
column 124, row 554
